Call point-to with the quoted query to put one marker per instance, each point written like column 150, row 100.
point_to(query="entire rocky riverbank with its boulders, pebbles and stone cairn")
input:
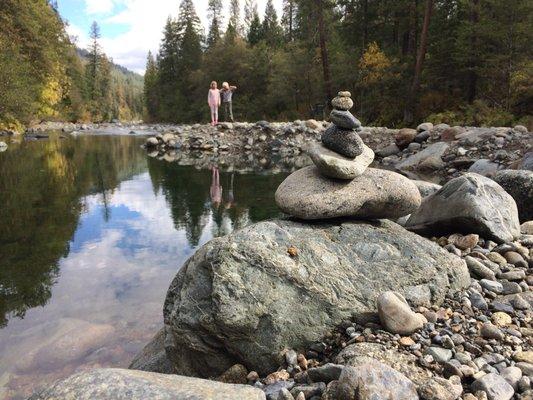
column 376, row 287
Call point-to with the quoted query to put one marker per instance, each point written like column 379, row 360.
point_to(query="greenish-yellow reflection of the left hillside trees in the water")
column 41, row 185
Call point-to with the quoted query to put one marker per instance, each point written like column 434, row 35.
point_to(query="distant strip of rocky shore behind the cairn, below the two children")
column 436, row 152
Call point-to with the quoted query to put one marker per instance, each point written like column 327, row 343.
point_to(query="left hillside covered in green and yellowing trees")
column 43, row 78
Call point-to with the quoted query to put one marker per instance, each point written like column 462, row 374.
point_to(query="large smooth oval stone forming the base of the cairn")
column 376, row 194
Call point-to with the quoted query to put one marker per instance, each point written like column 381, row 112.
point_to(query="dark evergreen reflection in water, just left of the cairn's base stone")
column 187, row 192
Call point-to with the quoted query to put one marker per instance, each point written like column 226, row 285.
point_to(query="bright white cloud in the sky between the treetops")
column 145, row 20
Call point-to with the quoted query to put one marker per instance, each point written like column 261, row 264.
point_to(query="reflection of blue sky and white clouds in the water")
column 117, row 273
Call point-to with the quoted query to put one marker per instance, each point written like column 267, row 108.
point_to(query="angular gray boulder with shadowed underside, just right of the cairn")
column 470, row 204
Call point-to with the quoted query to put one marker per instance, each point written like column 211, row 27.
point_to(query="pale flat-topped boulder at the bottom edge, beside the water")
column 122, row 384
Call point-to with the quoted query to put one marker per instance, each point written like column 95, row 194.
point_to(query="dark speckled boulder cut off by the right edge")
column 519, row 184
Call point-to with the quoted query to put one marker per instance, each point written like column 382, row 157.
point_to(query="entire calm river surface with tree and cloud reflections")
column 91, row 233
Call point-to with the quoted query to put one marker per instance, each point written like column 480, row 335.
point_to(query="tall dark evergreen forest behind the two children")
column 465, row 62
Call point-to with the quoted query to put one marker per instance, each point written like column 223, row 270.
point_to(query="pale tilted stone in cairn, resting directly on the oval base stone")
column 333, row 165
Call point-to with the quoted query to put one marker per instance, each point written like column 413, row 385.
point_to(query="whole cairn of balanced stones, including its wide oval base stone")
column 340, row 184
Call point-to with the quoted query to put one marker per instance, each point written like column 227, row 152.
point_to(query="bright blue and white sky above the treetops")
column 130, row 28
